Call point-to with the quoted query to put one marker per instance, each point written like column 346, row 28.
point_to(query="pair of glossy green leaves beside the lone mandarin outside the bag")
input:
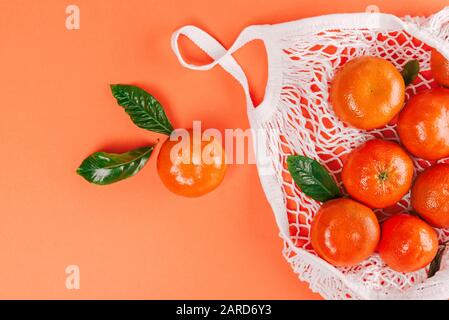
column 146, row 112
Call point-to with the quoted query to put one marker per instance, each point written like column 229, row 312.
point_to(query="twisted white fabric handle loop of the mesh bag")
column 217, row 52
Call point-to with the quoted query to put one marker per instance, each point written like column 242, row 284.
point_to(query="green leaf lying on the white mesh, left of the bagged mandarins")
column 312, row 178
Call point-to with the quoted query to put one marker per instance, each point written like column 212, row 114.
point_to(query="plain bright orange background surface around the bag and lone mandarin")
column 133, row 239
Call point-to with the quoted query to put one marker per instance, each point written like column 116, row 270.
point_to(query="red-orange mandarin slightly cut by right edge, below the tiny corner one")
column 423, row 124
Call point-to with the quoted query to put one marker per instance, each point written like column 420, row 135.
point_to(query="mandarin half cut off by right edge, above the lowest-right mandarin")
column 430, row 195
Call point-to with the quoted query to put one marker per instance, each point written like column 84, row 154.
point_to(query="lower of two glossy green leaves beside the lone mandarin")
column 105, row 168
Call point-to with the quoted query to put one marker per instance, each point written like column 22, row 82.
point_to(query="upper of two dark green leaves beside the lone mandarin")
column 145, row 111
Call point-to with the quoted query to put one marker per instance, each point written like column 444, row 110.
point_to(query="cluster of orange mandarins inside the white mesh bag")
column 367, row 93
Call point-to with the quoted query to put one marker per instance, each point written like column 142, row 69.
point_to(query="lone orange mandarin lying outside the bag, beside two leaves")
column 191, row 167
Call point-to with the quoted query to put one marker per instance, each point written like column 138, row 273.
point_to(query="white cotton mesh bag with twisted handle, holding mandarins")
column 295, row 117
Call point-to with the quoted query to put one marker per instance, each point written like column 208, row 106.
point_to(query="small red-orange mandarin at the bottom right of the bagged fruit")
column 407, row 243
